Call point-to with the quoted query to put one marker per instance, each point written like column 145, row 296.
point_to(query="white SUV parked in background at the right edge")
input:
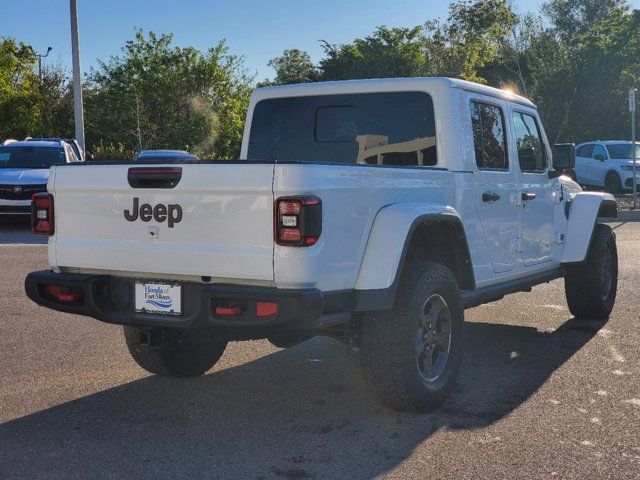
column 607, row 164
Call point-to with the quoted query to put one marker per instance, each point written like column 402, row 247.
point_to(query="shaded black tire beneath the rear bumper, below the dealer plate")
column 178, row 353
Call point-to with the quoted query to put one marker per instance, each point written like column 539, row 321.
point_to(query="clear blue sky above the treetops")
column 259, row 30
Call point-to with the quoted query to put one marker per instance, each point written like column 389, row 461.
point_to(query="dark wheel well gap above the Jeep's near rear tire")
column 442, row 241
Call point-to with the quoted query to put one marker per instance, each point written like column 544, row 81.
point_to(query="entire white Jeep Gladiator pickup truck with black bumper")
column 374, row 211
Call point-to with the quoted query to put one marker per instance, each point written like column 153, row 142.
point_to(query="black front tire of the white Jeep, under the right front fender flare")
column 587, row 295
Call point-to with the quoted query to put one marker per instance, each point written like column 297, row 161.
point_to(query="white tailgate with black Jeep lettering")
column 216, row 221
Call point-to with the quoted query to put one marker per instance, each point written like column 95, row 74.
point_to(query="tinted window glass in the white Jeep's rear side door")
column 489, row 136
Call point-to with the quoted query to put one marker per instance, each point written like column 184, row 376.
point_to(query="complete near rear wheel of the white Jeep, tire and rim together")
column 411, row 355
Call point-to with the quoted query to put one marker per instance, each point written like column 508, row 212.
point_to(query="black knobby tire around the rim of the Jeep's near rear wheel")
column 388, row 341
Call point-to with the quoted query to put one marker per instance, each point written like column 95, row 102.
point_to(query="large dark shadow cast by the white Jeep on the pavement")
column 295, row 414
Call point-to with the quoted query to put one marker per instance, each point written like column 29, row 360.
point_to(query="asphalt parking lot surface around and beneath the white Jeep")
column 540, row 395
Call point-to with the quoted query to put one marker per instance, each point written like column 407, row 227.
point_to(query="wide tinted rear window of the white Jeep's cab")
column 396, row 129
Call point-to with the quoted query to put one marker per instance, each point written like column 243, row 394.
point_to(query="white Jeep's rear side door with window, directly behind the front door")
column 495, row 184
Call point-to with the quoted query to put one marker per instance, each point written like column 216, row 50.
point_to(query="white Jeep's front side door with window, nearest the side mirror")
column 536, row 193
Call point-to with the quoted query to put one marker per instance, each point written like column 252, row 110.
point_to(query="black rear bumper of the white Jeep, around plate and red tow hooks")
column 111, row 300
